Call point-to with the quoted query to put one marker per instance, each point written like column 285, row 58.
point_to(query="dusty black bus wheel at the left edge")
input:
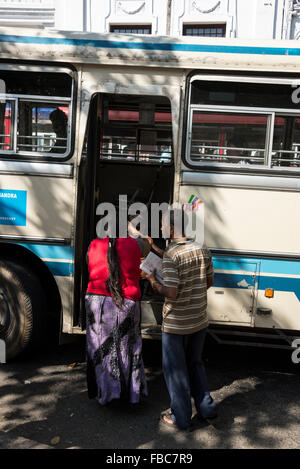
column 22, row 309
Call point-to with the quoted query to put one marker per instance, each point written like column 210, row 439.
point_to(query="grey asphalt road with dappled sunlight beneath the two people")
column 43, row 403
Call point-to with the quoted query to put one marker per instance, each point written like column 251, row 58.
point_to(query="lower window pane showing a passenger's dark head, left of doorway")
column 42, row 127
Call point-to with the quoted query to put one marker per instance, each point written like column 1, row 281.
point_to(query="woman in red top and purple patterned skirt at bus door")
column 115, row 367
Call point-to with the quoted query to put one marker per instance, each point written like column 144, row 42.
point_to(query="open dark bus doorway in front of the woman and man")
column 129, row 153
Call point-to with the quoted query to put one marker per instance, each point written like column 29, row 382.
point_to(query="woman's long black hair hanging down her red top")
column 113, row 282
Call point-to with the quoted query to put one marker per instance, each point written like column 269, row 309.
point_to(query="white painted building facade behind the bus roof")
column 245, row 19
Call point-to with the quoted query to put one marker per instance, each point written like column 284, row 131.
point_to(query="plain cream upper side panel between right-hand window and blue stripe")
column 248, row 219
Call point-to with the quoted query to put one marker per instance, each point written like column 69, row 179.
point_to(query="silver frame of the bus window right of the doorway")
column 267, row 169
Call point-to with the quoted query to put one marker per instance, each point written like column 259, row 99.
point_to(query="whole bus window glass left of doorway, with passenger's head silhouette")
column 35, row 113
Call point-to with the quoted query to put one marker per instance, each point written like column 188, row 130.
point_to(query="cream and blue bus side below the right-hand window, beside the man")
column 257, row 222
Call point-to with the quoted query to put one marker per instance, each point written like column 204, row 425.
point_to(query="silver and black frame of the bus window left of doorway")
column 42, row 67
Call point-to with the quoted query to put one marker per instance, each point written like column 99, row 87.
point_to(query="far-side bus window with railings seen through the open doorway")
column 136, row 129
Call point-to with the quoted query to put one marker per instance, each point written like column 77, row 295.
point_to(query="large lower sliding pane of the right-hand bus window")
column 228, row 137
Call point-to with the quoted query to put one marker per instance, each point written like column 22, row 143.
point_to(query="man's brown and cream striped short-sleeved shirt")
column 186, row 266
